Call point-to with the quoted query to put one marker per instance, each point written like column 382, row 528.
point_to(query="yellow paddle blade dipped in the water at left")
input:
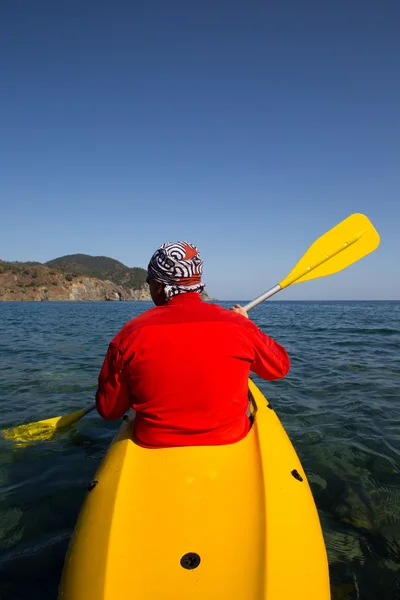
column 41, row 430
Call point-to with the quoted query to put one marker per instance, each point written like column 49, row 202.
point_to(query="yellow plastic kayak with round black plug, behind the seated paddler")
column 234, row 522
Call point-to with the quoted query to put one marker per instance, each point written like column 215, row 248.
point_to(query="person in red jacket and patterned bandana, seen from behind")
column 183, row 366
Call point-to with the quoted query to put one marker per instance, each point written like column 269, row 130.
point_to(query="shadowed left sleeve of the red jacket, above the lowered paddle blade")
column 112, row 397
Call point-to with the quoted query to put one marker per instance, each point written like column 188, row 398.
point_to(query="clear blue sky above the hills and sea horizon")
column 247, row 128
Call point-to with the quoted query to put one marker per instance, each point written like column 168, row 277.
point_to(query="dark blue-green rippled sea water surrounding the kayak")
column 340, row 406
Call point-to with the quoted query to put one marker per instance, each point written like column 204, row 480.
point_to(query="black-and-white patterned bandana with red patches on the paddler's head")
column 178, row 265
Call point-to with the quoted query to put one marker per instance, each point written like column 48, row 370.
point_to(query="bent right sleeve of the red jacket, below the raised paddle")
column 271, row 361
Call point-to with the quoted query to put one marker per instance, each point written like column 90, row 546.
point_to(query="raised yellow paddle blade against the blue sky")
column 338, row 248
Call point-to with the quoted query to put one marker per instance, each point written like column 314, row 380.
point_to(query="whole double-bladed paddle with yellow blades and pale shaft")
column 337, row 249
